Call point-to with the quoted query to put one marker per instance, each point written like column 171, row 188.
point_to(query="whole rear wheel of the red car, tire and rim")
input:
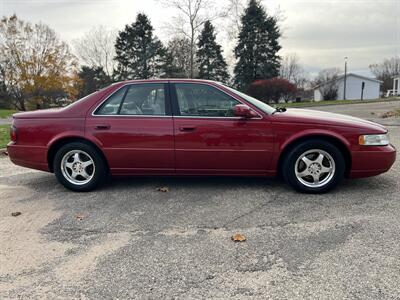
column 79, row 167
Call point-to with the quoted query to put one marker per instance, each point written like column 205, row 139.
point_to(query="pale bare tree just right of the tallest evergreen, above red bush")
column 292, row 70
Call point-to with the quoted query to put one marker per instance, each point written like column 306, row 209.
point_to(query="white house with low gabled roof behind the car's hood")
column 357, row 87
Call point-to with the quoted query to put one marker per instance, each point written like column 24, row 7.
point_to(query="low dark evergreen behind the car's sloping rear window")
column 92, row 79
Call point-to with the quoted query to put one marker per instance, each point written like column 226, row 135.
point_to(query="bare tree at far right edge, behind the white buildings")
column 385, row 71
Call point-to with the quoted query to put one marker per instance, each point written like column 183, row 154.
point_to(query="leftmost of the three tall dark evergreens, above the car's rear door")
column 139, row 54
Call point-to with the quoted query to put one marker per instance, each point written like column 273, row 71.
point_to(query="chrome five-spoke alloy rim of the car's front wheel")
column 315, row 168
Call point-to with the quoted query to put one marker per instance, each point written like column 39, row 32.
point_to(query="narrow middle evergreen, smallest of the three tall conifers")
column 212, row 65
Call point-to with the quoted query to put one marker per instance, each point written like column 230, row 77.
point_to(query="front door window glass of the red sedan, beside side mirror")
column 203, row 100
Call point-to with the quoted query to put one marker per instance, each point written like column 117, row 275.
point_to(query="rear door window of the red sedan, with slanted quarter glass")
column 136, row 99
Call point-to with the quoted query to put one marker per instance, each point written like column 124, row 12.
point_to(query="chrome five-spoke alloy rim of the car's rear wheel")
column 78, row 167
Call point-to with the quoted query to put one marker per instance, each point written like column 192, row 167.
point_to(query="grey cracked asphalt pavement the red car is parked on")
column 128, row 240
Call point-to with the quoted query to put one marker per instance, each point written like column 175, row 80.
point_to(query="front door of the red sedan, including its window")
column 209, row 139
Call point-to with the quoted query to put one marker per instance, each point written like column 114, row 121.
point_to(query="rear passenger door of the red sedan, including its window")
column 135, row 128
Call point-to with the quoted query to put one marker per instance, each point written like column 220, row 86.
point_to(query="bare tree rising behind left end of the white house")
column 327, row 82
